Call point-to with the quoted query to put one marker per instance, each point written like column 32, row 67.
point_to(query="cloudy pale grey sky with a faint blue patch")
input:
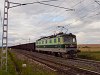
column 29, row 23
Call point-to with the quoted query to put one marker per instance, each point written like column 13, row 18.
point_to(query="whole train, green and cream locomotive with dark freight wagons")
column 61, row 44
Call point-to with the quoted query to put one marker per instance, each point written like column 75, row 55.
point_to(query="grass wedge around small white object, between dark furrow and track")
column 32, row 69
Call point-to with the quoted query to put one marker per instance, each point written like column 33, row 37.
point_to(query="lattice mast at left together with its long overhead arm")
column 7, row 5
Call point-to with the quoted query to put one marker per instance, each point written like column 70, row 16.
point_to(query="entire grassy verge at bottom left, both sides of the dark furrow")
column 30, row 69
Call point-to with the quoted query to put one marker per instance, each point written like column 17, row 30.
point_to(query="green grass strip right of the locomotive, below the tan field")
column 93, row 55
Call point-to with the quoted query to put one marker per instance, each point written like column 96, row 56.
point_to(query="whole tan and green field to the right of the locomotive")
column 92, row 53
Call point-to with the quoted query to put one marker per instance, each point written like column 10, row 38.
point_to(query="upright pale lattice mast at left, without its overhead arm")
column 5, row 37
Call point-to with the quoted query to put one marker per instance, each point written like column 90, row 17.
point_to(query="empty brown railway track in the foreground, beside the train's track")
column 59, row 64
